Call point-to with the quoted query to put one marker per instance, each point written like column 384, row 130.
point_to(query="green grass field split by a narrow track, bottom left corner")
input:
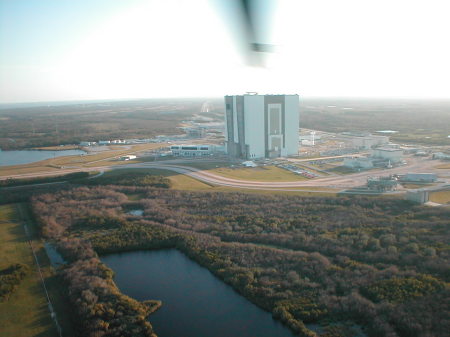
column 25, row 313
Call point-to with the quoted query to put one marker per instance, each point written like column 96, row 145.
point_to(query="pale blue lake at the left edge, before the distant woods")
column 31, row 156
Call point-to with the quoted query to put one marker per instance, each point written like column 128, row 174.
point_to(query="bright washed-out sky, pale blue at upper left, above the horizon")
column 100, row 49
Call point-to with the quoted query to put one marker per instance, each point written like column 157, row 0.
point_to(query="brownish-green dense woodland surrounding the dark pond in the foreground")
column 380, row 263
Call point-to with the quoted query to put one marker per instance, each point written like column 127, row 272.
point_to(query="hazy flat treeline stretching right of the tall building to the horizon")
column 417, row 121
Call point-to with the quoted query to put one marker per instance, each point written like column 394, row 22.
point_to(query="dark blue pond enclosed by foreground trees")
column 195, row 303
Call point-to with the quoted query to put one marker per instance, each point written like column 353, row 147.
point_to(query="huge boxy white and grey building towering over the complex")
column 261, row 126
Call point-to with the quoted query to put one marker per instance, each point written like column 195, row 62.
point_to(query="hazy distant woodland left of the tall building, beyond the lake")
column 70, row 124
